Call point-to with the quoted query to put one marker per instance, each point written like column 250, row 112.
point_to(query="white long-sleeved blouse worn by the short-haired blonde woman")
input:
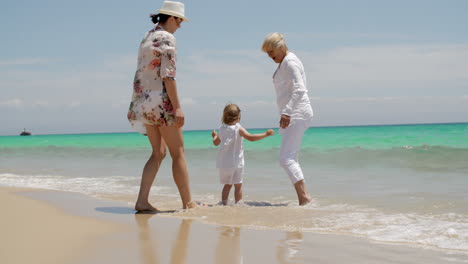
column 290, row 83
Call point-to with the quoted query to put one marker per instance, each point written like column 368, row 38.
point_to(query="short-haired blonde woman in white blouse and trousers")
column 294, row 108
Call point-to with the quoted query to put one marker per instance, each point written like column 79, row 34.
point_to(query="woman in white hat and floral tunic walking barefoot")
column 155, row 110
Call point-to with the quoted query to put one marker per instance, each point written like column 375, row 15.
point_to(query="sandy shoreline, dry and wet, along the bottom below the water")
column 58, row 227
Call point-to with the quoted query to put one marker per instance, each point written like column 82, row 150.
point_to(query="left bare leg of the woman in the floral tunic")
column 151, row 168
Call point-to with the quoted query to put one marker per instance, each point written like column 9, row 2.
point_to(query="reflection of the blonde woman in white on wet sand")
column 289, row 247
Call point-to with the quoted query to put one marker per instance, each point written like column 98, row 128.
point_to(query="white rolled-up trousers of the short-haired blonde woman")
column 289, row 151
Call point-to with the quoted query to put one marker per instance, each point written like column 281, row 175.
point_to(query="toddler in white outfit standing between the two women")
column 230, row 159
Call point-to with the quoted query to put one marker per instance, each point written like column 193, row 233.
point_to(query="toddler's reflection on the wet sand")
column 228, row 250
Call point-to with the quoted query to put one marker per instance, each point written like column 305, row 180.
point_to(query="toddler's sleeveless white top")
column 231, row 149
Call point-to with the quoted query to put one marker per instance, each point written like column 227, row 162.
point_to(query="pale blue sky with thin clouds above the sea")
column 67, row 66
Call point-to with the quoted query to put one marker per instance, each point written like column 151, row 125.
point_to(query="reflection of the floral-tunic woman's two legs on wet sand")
column 149, row 246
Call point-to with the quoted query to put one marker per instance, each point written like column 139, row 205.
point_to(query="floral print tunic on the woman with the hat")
column 156, row 60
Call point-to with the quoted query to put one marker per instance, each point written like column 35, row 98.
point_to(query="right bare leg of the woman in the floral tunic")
column 173, row 137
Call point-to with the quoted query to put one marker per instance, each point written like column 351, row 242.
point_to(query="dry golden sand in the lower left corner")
column 36, row 232
